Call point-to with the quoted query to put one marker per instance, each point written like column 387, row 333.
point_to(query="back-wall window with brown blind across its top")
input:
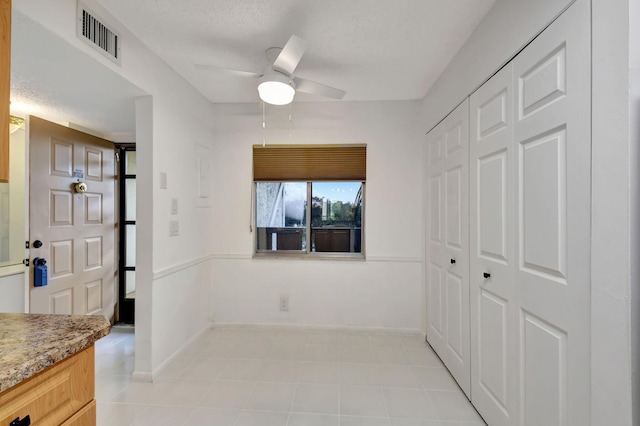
column 309, row 199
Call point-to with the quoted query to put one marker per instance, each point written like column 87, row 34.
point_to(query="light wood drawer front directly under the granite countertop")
column 54, row 395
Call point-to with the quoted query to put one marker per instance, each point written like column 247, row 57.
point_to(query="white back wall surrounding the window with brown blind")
column 382, row 292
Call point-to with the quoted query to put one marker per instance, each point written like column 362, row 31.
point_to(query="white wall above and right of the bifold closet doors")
column 505, row 30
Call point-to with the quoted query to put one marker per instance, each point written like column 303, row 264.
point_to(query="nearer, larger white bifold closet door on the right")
column 529, row 232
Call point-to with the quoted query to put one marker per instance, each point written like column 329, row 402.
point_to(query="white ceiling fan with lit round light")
column 277, row 85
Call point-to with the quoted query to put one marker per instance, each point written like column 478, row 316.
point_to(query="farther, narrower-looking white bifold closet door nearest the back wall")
column 448, row 244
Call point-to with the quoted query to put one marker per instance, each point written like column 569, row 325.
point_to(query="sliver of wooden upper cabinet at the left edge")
column 5, row 74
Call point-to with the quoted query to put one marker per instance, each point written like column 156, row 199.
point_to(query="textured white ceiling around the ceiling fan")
column 373, row 49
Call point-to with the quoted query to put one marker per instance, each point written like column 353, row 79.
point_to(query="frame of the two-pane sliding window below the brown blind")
column 308, row 253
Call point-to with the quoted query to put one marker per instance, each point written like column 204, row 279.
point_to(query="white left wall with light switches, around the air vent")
column 171, row 272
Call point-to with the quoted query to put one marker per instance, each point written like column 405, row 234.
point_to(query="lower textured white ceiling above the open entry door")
column 56, row 81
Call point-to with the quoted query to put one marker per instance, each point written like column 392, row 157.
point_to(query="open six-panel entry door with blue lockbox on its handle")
column 76, row 229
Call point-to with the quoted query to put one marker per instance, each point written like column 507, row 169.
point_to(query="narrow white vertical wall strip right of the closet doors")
column 611, row 215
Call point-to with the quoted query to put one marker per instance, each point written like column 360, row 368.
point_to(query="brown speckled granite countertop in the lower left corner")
column 29, row 343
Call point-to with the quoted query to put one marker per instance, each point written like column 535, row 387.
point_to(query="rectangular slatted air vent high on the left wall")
column 94, row 32
